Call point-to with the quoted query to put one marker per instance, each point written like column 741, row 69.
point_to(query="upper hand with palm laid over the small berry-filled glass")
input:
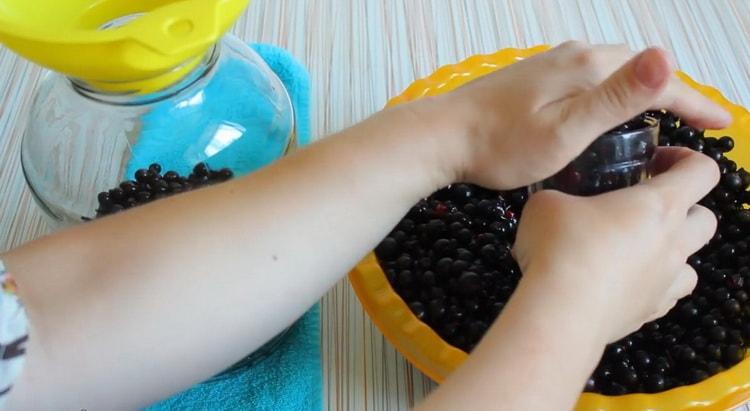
column 529, row 120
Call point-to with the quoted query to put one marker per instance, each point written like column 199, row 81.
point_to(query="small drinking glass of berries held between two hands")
column 617, row 159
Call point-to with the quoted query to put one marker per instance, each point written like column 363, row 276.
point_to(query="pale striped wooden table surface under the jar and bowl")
column 362, row 52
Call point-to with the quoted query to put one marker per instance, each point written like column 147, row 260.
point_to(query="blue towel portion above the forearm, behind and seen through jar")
column 180, row 135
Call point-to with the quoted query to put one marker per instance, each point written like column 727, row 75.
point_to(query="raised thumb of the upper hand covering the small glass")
column 629, row 91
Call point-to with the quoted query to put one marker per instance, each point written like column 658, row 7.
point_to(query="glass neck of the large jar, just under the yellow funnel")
column 150, row 90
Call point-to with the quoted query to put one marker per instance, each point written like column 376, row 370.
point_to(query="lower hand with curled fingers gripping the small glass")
column 618, row 260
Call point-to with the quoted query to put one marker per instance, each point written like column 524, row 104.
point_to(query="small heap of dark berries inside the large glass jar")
column 149, row 185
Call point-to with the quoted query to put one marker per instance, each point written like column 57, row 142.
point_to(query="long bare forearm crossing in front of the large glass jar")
column 129, row 293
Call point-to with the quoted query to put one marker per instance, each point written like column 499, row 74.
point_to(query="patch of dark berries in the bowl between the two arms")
column 449, row 259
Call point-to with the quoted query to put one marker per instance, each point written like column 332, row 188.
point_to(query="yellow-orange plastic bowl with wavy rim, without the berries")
column 424, row 348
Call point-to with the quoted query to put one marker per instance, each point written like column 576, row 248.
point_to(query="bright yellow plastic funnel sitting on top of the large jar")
column 117, row 45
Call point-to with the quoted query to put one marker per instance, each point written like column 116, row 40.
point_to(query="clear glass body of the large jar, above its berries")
column 231, row 111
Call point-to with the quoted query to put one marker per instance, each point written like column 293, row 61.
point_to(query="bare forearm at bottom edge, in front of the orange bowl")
column 537, row 355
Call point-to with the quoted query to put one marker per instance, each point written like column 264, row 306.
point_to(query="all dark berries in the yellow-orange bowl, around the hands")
column 449, row 260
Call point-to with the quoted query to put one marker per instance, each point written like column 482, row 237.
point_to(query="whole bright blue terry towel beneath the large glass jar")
column 289, row 377
